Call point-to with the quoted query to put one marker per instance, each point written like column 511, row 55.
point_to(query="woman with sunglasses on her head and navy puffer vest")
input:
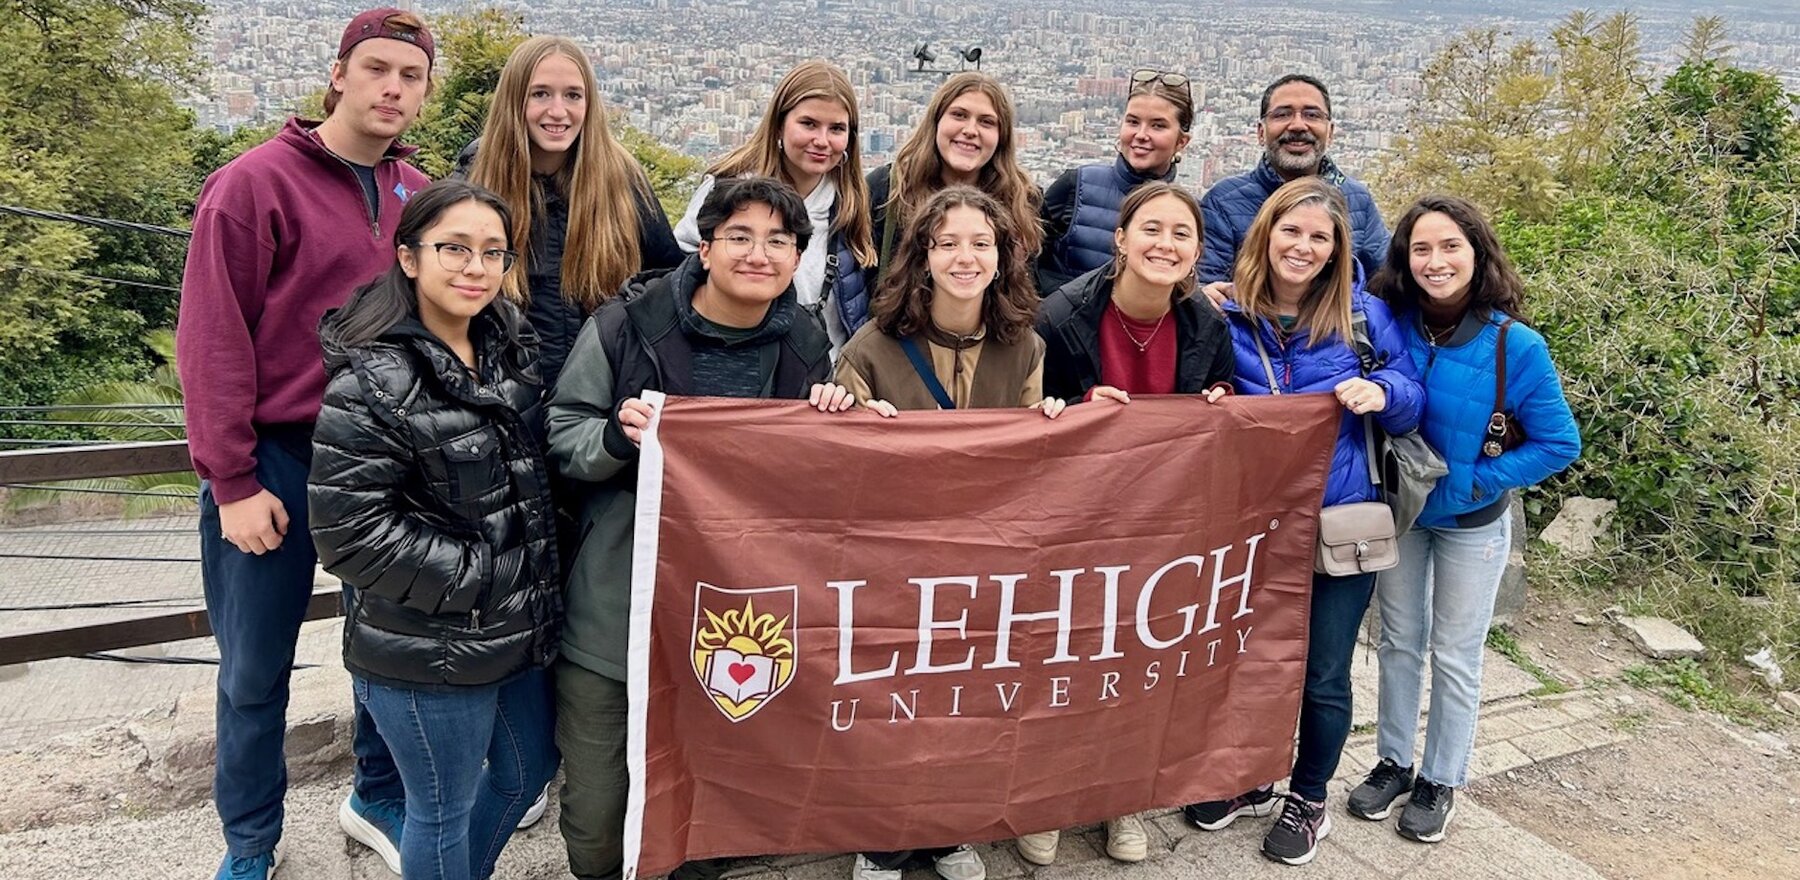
column 1083, row 208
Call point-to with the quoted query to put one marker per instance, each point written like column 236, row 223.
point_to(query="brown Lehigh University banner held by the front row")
column 854, row 633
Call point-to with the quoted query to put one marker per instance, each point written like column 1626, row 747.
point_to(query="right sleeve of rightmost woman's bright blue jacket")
column 1534, row 393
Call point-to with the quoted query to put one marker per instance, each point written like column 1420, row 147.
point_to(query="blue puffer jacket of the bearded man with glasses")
column 1232, row 206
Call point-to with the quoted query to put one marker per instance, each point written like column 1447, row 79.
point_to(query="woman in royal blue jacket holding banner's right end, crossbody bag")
column 1295, row 328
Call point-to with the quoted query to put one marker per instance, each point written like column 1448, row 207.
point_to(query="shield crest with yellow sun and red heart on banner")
column 742, row 651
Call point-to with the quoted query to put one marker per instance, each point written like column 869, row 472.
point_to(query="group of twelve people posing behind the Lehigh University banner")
column 458, row 442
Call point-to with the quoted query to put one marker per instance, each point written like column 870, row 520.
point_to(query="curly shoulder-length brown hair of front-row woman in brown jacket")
column 903, row 303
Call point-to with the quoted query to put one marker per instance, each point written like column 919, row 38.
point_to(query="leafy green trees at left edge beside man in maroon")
column 89, row 125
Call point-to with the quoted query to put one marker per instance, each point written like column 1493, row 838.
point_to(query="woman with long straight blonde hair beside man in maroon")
column 584, row 215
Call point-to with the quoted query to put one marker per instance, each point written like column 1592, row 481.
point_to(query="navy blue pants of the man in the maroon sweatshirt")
column 256, row 606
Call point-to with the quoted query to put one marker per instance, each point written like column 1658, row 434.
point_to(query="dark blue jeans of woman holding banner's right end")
column 1338, row 607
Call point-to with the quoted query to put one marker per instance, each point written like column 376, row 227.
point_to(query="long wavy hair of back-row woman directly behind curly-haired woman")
column 919, row 170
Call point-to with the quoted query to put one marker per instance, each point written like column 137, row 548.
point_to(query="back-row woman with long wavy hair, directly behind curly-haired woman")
column 964, row 139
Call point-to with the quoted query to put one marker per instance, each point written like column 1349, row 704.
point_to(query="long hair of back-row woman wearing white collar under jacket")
column 762, row 152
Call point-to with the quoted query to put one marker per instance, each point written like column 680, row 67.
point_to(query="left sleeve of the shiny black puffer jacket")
column 364, row 537
